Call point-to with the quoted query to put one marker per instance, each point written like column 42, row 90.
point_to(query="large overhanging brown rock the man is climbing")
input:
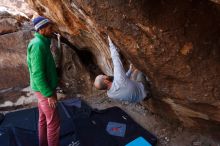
column 176, row 43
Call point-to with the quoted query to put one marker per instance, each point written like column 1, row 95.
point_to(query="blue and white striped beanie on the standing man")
column 40, row 22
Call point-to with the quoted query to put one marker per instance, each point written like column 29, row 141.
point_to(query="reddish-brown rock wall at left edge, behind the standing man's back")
column 13, row 44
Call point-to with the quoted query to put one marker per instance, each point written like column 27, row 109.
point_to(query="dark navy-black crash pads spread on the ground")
column 80, row 126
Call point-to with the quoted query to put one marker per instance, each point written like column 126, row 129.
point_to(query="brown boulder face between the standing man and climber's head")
column 74, row 74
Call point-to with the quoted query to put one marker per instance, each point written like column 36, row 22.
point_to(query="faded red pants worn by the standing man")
column 49, row 123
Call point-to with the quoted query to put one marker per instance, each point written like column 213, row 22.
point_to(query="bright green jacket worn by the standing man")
column 41, row 65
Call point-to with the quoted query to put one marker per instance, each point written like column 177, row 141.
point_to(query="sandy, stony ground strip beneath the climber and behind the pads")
column 168, row 134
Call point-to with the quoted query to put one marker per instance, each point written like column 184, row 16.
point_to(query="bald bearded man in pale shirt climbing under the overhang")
column 131, row 86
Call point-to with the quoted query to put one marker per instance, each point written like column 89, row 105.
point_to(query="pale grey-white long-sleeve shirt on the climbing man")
column 122, row 87
